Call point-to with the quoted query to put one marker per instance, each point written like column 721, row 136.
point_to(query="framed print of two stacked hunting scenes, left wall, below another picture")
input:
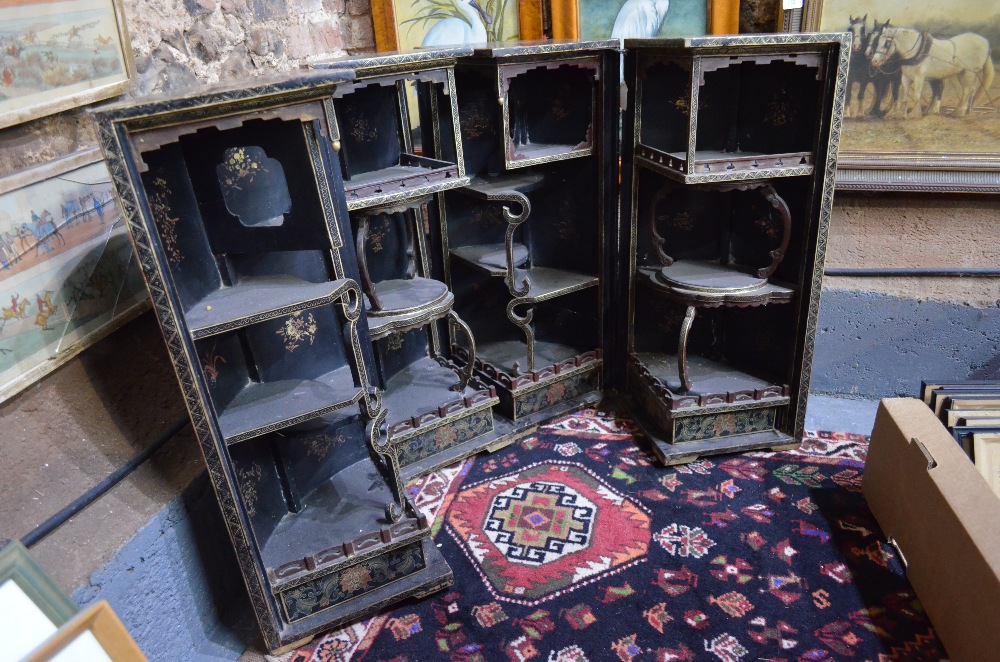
column 67, row 273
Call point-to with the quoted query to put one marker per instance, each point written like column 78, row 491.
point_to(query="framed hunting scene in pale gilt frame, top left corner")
column 58, row 55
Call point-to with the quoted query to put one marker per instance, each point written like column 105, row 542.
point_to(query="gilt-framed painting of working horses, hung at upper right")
column 922, row 111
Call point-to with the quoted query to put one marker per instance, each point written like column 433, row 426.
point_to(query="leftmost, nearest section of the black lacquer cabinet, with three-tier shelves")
column 238, row 211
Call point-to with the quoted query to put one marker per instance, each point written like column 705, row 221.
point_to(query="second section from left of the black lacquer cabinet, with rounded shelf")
column 437, row 414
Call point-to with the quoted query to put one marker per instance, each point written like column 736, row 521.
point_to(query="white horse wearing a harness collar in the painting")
column 965, row 57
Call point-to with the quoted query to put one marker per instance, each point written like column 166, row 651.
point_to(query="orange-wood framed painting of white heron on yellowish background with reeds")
column 403, row 25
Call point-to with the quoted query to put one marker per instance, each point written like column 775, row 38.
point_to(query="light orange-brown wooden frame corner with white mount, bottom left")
column 96, row 634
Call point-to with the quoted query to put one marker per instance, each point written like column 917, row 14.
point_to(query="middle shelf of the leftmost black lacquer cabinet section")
column 262, row 407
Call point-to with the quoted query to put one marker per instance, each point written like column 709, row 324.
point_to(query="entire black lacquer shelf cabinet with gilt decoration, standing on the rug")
column 376, row 268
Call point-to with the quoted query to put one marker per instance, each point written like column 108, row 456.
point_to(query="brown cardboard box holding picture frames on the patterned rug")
column 930, row 499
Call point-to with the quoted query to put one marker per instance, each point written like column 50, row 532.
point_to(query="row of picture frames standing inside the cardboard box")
column 971, row 412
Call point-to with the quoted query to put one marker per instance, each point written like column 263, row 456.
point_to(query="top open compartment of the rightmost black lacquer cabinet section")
column 729, row 116
